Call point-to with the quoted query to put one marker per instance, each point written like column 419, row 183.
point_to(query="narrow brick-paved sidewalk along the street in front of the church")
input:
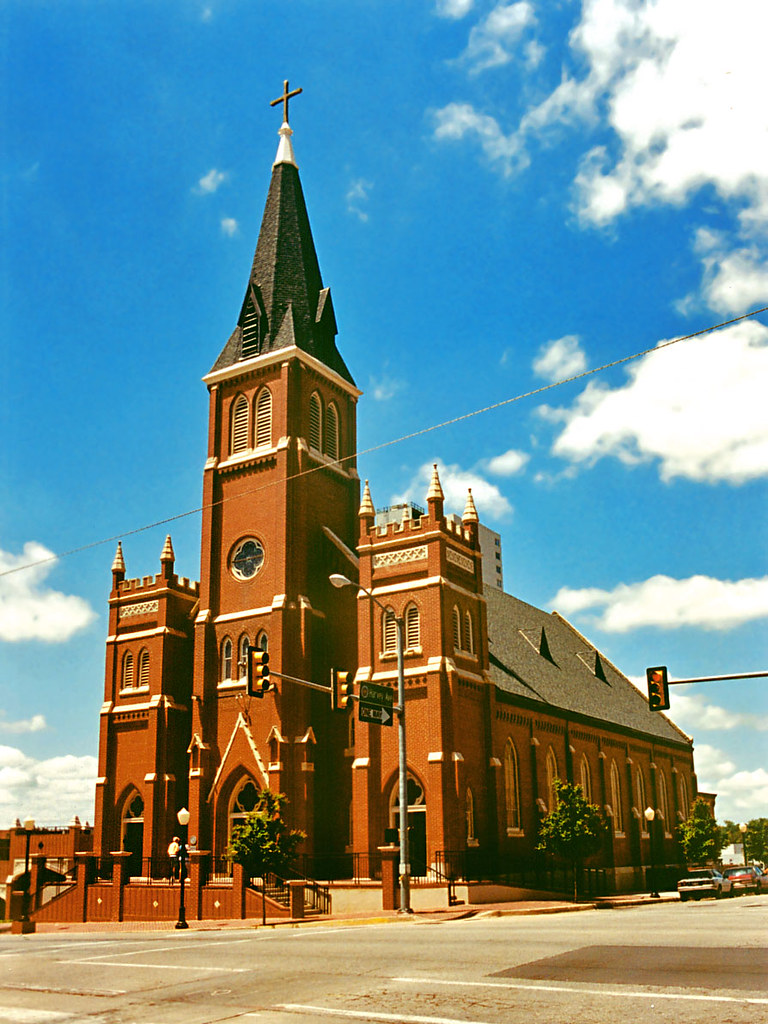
column 435, row 916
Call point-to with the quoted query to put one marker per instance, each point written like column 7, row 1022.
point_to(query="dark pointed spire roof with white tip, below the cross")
column 285, row 303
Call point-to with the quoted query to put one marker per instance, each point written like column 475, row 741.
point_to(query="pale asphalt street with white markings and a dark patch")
column 669, row 963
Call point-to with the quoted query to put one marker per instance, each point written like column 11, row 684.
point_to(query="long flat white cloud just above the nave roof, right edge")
column 663, row 603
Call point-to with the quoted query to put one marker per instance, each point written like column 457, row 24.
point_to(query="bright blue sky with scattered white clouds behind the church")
column 502, row 196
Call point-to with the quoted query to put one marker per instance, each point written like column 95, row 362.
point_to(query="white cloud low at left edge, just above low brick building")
column 53, row 791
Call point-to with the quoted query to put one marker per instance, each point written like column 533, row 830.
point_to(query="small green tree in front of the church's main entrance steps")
column 265, row 843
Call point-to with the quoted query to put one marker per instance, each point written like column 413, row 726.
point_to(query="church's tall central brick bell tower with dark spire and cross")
column 280, row 515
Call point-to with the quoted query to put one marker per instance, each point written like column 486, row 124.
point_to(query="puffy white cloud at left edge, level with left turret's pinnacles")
column 28, row 610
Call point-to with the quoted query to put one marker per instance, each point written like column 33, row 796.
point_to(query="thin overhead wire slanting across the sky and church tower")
column 393, row 442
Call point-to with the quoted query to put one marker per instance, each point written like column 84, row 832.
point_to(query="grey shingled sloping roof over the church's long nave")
column 553, row 674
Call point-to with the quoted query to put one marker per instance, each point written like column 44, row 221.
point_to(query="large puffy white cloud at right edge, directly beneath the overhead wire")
column 699, row 408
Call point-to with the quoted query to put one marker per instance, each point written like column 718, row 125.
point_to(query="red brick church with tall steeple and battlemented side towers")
column 502, row 698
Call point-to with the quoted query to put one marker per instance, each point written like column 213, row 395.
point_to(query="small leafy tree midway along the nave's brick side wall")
column 574, row 830
